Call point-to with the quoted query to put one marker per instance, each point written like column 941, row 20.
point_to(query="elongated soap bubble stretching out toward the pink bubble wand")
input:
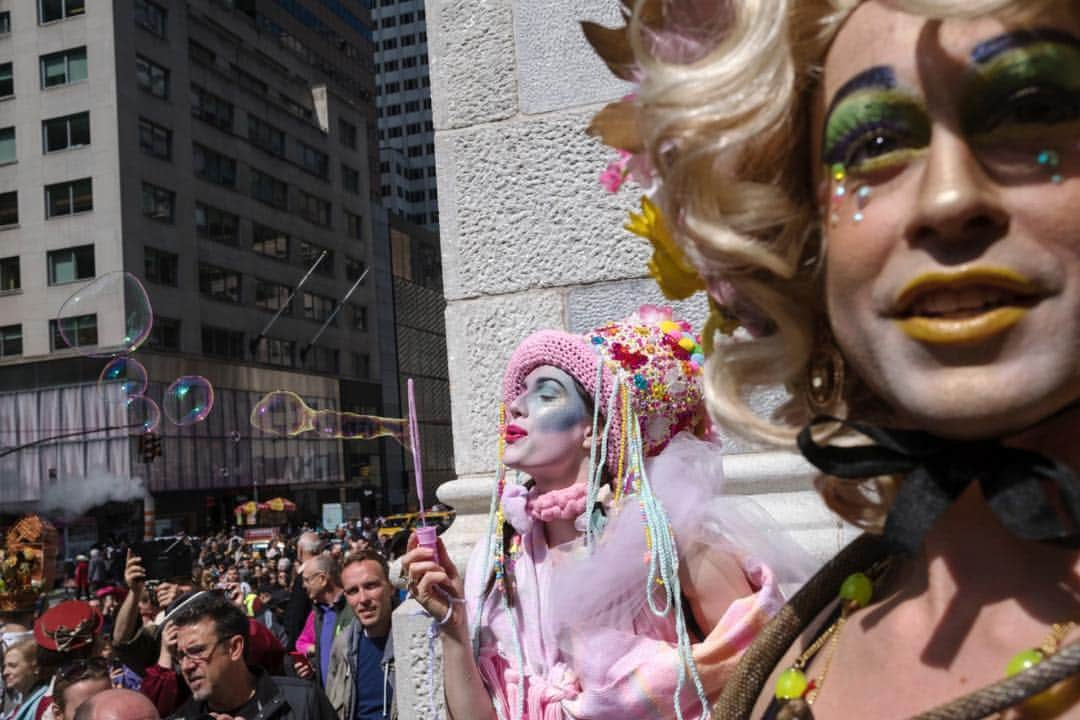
column 286, row 414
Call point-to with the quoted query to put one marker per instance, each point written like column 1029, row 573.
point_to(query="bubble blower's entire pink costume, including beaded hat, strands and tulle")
column 598, row 629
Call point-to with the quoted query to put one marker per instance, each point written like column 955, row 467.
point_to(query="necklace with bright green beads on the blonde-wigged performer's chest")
column 795, row 692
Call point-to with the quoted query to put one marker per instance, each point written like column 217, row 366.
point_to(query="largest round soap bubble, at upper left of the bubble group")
column 89, row 321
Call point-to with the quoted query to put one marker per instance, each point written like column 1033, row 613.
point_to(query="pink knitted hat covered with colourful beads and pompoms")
column 656, row 358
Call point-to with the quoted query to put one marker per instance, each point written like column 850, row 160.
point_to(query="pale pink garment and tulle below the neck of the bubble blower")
column 591, row 645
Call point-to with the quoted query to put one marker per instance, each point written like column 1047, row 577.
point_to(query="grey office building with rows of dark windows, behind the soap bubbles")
column 217, row 151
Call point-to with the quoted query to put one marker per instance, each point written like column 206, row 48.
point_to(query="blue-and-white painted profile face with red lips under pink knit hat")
column 549, row 427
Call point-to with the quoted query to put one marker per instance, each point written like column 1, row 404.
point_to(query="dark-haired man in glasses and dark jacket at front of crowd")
column 212, row 656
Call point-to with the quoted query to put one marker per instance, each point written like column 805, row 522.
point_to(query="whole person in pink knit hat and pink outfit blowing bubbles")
column 614, row 583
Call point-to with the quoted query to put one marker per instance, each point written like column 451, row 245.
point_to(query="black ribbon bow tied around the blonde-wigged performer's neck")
column 1019, row 485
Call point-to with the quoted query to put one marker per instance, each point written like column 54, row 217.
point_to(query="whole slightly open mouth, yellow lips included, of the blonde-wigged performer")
column 966, row 307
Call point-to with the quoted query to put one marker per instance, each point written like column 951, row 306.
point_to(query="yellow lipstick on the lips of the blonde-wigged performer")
column 970, row 329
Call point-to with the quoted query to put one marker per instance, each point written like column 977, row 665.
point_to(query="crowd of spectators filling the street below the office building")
column 265, row 631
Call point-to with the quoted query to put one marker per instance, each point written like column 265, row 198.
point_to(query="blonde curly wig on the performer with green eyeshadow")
column 728, row 133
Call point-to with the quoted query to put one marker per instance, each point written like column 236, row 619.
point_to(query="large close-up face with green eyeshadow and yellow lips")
column 948, row 156
